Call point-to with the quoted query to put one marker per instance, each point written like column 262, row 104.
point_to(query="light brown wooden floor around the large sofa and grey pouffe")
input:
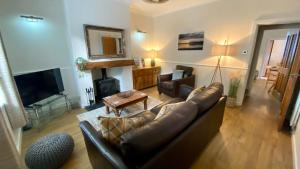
column 248, row 138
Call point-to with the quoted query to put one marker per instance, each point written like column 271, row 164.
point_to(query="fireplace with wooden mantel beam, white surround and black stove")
column 100, row 85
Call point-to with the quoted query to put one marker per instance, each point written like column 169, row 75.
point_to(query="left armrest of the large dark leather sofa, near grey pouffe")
column 101, row 154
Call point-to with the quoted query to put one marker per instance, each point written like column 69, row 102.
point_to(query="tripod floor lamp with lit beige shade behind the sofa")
column 219, row 50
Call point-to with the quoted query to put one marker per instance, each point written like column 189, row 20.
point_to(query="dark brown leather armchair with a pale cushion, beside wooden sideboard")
column 171, row 87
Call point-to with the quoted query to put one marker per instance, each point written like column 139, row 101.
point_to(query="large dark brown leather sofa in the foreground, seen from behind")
column 173, row 141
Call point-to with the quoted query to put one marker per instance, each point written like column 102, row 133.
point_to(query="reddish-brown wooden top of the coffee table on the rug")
column 117, row 101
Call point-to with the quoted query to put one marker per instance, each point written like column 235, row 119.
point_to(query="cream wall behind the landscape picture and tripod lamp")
column 220, row 20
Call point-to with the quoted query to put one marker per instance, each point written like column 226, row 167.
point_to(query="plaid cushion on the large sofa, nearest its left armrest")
column 112, row 128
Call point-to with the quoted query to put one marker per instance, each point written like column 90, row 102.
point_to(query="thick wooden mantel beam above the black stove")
column 108, row 64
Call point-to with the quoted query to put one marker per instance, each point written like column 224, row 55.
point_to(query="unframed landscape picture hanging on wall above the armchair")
column 191, row 41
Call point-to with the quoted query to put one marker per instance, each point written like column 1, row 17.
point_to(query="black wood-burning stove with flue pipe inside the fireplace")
column 106, row 86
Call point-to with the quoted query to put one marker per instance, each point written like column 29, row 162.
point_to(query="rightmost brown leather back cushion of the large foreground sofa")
column 207, row 98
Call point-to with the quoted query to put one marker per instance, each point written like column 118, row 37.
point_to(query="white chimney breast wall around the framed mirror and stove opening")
column 107, row 13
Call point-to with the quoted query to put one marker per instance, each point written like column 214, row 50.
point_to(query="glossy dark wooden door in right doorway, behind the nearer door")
column 286, row 63
